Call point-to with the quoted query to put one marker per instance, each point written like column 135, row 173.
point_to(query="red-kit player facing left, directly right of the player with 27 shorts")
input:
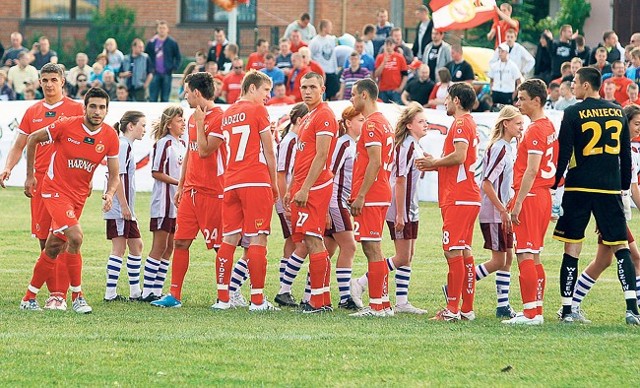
column 371, row 193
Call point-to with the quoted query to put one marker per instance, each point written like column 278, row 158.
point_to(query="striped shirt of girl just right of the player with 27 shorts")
column 342, row 168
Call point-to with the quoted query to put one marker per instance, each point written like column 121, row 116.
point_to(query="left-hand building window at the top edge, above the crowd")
column 61, row 9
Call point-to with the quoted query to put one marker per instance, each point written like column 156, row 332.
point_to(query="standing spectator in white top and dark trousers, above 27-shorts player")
column 323, row 51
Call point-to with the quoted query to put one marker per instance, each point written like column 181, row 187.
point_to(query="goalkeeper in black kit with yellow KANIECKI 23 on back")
column 595, row 144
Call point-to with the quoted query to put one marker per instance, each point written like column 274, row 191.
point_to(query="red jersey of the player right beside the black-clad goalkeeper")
column 539, row 138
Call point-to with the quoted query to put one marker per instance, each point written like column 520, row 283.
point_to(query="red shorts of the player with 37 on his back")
column 247, row 210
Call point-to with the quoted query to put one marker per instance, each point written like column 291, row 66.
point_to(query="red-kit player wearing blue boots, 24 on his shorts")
column 199, row 193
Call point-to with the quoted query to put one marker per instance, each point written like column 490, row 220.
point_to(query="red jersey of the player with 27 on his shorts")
column 319, row 122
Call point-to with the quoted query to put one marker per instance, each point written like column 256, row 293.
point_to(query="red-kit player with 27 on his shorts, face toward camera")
column 312, row 188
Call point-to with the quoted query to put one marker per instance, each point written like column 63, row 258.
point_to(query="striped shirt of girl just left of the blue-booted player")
column 168, row 155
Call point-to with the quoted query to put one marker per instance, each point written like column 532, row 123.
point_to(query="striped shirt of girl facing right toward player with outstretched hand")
column 404, row 166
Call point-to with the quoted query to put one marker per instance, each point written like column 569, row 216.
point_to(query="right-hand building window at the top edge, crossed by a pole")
column 205, row 11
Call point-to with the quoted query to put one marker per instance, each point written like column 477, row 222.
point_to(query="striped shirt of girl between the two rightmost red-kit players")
column 497, row 168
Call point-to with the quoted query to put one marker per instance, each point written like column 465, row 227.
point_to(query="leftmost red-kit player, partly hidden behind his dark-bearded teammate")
column 39, row 115
